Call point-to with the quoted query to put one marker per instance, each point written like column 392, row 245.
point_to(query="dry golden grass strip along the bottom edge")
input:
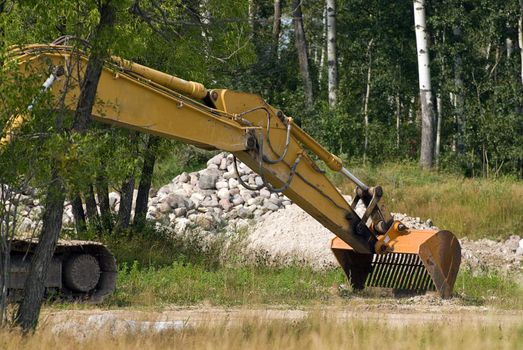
column 318, row 331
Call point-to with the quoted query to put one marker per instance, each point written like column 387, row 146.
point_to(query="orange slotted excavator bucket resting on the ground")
column 417, row 261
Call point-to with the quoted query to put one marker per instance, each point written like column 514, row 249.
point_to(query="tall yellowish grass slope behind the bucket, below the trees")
column 475, row 208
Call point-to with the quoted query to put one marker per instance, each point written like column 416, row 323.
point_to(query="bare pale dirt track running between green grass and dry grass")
column 418, row 310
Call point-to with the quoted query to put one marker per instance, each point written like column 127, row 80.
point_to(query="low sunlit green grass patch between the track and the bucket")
column 243, row 285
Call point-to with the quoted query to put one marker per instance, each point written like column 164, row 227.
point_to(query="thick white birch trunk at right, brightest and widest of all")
column 427, row 107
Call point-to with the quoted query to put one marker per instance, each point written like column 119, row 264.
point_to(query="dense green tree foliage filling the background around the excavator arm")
column 218, row 44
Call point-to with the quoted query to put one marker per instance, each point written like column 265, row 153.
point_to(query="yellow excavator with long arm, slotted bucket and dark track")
column 373, row 249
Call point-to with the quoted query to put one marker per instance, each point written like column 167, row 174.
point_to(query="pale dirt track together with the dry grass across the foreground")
column 358, row 322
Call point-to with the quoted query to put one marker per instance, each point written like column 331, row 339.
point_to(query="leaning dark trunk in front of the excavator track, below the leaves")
column 34, row 288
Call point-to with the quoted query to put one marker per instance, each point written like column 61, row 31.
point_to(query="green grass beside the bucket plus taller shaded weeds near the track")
column 158, row 269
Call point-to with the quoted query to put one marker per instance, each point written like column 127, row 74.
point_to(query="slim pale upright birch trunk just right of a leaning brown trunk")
column 332, row 61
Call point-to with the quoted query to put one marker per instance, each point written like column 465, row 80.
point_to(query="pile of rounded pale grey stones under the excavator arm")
column 213, row 199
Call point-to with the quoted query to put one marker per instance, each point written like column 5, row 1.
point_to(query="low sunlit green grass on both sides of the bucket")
column 188, row 284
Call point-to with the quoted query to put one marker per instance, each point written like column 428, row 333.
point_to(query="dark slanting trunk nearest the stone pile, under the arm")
column 142, row 199
